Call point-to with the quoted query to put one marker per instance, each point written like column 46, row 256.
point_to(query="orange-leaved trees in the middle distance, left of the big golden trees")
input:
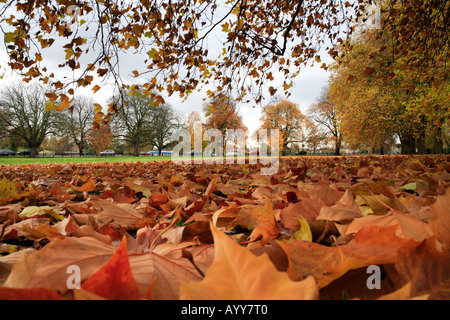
column 319, row 127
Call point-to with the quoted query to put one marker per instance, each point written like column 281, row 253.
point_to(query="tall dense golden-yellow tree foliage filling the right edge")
column 383, row 89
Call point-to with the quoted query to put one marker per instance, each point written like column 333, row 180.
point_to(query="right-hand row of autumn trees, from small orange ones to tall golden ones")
column 389, row 85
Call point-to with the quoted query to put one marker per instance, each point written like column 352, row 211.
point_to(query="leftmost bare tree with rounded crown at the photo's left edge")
column 23, row 114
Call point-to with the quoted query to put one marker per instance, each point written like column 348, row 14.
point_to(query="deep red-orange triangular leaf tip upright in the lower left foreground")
column 114, row 280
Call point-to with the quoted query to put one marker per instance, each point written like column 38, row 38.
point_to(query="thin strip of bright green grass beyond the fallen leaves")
column 17, row 160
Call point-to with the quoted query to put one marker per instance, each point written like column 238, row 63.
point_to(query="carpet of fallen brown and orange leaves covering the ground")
column 160, row 230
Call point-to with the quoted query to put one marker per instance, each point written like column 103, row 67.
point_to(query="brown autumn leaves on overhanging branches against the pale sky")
column 172, row 41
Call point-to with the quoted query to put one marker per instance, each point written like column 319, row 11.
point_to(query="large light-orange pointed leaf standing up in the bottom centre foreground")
column 236, row 274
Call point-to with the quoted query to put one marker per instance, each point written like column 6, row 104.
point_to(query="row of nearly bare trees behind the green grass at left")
column 27, row 118
